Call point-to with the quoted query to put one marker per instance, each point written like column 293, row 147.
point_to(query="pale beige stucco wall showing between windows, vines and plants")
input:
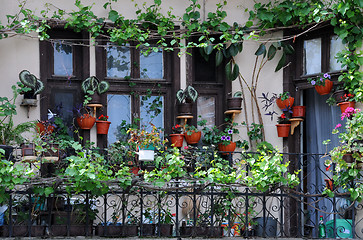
column 18, row 53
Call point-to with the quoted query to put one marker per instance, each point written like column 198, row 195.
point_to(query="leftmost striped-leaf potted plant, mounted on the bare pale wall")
column 31, row 87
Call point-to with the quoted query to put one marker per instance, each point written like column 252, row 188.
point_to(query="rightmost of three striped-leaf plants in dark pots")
column 186, row 98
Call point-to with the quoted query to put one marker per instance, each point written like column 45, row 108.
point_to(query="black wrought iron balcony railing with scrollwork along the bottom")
column 189, row 209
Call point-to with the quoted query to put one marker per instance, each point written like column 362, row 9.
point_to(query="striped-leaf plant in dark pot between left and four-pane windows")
column 93, row 88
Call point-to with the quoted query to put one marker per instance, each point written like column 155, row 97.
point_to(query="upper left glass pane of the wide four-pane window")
column 118, row 62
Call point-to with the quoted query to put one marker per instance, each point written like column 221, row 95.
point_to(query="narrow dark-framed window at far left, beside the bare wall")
column 64, row 64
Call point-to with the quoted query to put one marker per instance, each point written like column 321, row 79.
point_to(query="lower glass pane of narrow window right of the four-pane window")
column 206, row 109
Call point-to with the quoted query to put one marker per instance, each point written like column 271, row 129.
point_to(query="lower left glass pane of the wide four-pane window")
column 118, row 109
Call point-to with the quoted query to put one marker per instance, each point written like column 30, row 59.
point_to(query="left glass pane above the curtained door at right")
column 312, row 56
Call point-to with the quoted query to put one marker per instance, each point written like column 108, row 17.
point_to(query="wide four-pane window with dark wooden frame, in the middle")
column 142, row 86
